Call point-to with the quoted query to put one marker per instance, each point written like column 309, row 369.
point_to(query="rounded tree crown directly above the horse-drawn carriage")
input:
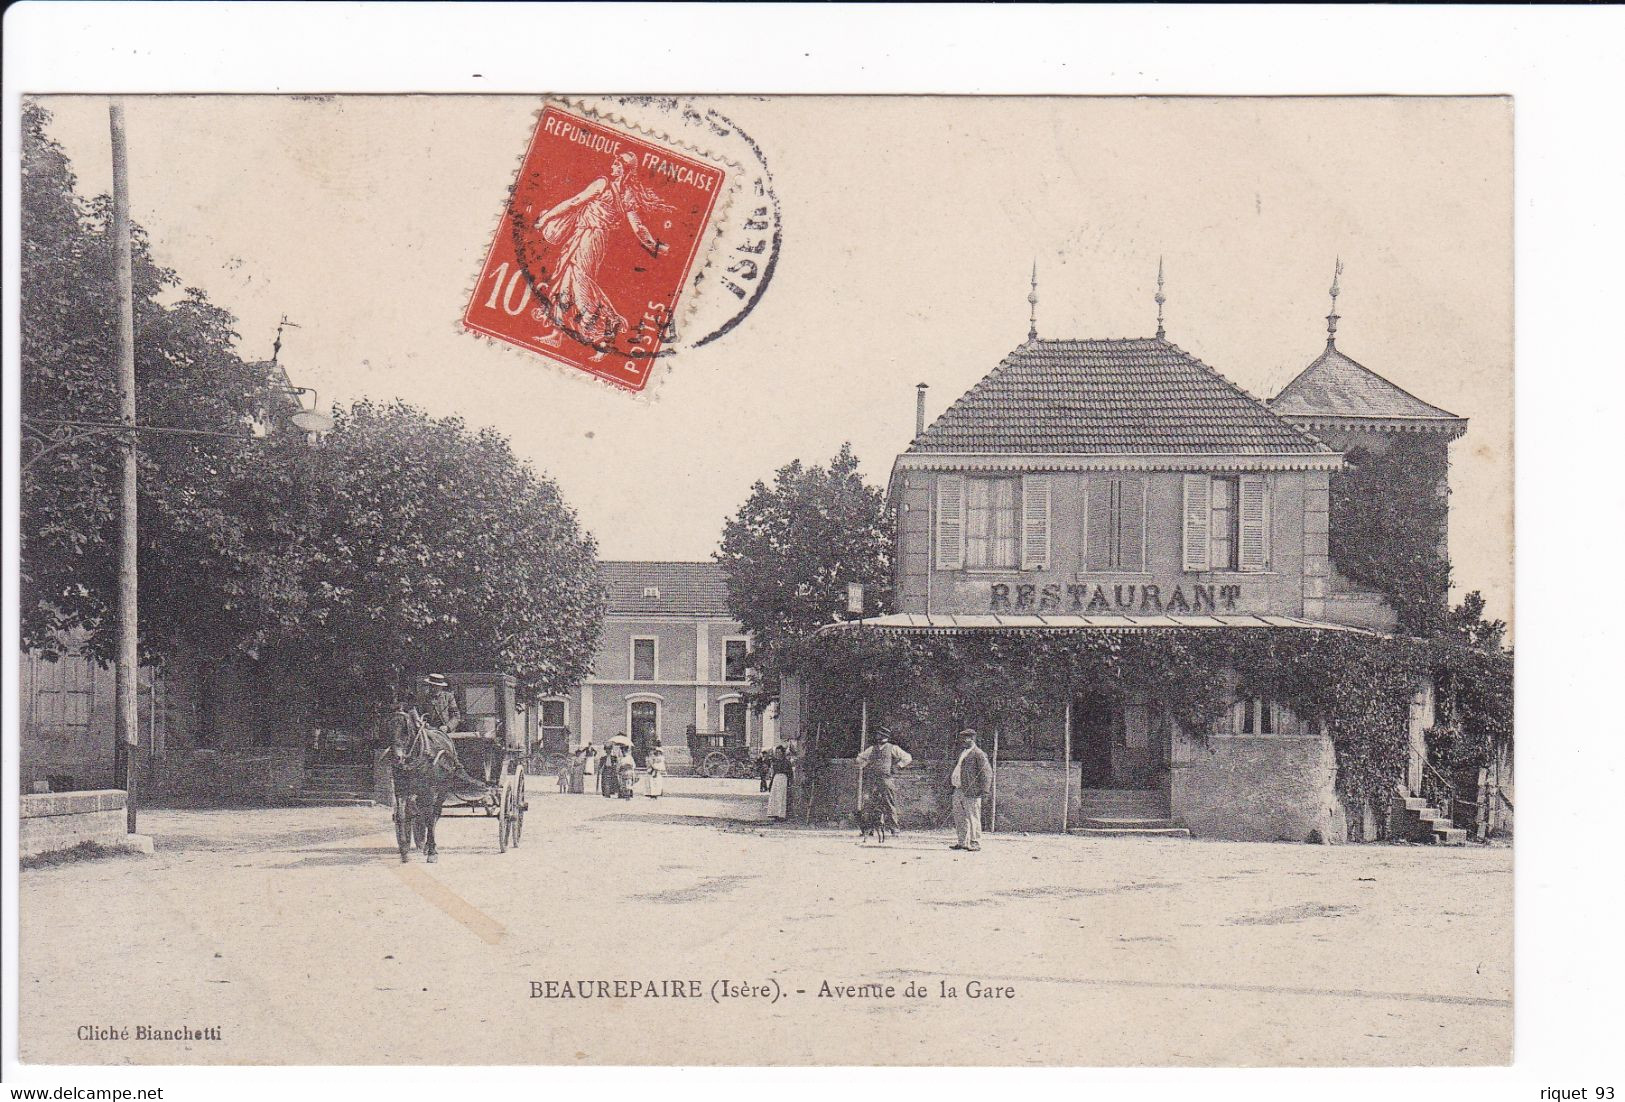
column 420, row 544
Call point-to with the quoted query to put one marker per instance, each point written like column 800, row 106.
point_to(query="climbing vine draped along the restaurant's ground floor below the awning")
column 925, row 688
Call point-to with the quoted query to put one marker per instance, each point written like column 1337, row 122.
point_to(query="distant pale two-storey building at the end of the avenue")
column 670, row 659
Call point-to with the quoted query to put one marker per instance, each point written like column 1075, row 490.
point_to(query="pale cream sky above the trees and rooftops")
column 911, row 227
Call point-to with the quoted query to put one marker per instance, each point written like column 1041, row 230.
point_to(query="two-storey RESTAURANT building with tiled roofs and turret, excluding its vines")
column 1127, row 487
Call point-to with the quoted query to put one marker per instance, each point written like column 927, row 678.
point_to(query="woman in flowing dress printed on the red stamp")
column 574, row 300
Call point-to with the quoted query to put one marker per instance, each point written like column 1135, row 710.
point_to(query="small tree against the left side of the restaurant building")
column 792, row 550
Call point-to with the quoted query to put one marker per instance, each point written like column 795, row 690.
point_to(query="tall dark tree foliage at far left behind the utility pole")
column 188, row 376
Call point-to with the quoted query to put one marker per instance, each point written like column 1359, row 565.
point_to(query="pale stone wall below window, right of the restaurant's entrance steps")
column 1259, row 789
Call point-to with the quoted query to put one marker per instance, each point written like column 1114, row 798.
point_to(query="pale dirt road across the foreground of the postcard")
column 300, row 937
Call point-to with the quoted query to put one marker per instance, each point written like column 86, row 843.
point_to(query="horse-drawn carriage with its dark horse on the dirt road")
column 488, row 774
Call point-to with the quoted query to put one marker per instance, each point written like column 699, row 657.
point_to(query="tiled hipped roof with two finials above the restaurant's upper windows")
column 1091, row 397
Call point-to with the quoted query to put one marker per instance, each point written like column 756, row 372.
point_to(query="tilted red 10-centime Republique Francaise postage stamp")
column 596, row 248
